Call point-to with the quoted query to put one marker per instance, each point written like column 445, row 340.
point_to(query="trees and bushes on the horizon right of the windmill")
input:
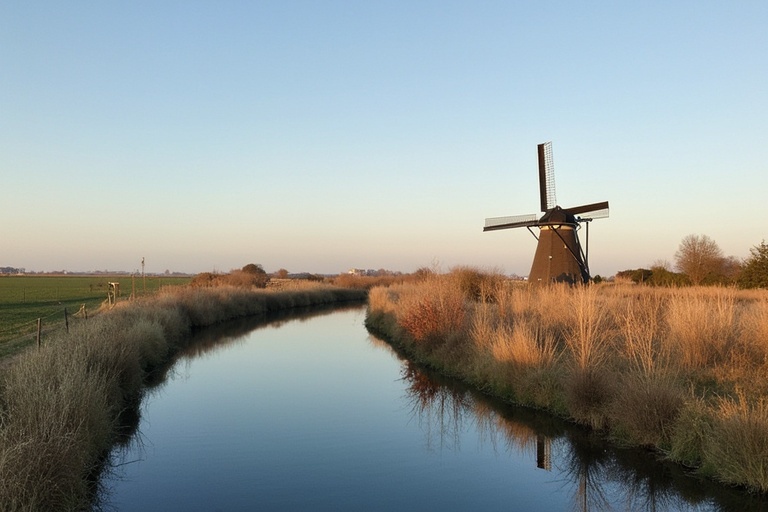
column 699, row 261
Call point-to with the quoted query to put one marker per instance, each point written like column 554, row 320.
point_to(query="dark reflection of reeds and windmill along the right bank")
column 601, row 478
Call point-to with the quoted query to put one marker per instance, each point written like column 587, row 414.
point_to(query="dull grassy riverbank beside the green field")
column 60, row 406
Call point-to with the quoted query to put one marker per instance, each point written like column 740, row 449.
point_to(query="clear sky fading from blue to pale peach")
column 322, row 135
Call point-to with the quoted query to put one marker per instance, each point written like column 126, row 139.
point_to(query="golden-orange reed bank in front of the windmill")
column 684, row 371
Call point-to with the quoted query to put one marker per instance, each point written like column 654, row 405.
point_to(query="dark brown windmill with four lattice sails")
column 559, row 255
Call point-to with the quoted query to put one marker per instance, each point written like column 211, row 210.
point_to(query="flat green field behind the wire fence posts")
column 24, row 299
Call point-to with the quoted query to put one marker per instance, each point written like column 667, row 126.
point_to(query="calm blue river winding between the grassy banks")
column 314, row 414
